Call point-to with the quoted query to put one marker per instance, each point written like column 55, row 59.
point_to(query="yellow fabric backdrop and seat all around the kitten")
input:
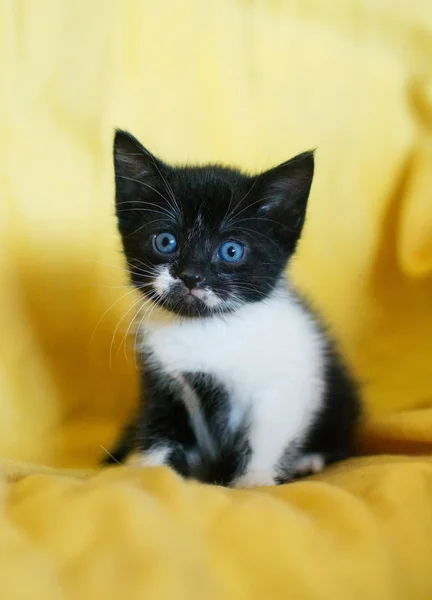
column 248, row 82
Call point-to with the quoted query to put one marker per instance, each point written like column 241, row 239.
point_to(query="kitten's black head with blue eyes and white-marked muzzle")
column 205, row 240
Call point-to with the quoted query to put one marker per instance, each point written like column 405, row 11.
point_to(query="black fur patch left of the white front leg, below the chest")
column 164, row 420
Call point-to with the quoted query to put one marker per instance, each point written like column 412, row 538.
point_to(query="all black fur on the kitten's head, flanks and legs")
column 265, row 213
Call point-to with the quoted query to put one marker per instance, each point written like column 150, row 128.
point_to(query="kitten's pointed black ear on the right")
column 285, row 191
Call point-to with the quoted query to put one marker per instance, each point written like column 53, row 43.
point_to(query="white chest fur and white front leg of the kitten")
column 269, row 355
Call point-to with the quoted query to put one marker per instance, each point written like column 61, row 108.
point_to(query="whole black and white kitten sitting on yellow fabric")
column 242, row 387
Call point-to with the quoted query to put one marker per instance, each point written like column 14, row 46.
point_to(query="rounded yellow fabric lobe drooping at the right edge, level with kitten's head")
column 414, row 241
